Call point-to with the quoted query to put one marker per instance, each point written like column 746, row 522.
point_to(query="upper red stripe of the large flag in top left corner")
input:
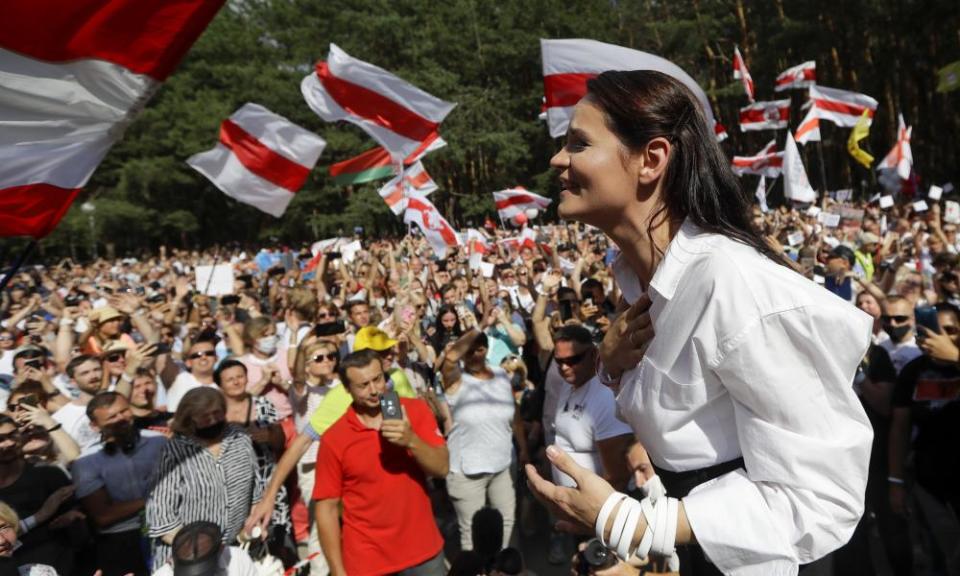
column 145, row 36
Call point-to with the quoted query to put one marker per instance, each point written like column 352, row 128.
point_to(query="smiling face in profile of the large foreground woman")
column 599, row 181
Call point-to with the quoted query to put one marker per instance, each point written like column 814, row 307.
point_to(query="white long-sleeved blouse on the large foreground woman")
column 751, row 359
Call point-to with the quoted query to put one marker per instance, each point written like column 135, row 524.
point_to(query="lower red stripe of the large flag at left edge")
column 34, row 209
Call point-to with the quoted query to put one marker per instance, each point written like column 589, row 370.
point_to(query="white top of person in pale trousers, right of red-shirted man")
column 482, row 410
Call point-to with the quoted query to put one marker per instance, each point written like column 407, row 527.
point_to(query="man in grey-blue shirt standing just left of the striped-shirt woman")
column 113, row 481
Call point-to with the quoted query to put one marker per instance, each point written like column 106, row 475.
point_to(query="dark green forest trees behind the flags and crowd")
column 485, row 55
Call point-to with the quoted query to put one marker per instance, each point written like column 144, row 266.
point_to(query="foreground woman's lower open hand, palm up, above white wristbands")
column 578, row 507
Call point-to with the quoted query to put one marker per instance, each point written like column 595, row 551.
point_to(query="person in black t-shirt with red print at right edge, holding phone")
column 927, row 397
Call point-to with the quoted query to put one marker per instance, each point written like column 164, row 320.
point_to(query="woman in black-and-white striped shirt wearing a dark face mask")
column 206, row 472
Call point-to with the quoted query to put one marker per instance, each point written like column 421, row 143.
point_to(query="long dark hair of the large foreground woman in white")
column 699, row 184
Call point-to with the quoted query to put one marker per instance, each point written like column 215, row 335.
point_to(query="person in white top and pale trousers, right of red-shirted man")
column 481, row 402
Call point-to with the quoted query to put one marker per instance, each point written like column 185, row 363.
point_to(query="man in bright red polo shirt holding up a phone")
column 378, row 469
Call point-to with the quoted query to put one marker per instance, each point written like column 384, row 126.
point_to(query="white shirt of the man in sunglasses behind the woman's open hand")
column 585, row 416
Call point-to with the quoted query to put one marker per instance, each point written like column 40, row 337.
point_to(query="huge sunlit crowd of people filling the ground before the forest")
column 366, row 412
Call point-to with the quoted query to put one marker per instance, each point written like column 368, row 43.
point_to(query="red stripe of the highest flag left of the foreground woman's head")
column 375, row 107
